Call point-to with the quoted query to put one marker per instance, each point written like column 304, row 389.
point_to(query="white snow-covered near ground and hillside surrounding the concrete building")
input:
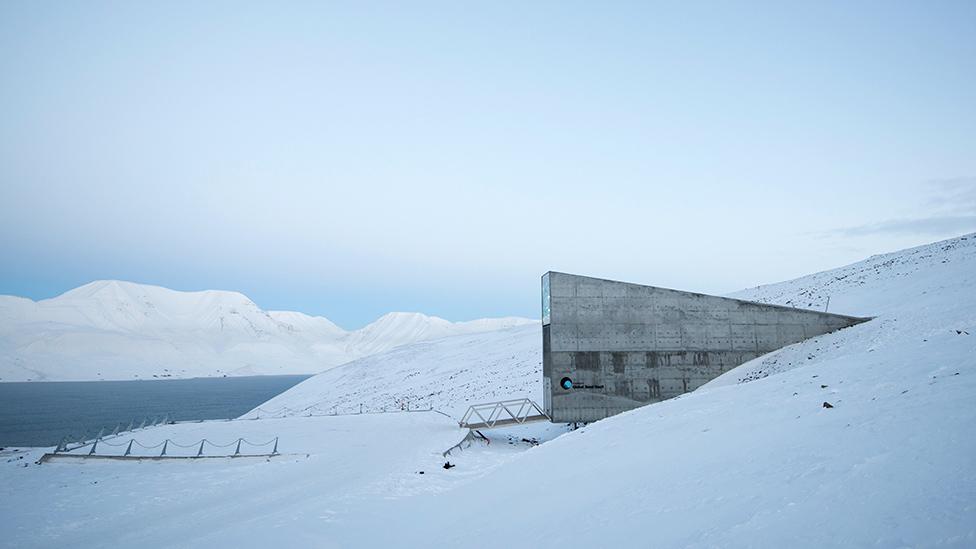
column 860, row 438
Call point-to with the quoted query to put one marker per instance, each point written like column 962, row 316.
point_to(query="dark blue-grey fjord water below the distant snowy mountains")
column 40, row 413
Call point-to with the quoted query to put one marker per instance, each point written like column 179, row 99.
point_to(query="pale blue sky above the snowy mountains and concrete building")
column 349, row 159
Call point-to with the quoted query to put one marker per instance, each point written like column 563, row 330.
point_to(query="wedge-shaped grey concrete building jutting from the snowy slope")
column 611, row 346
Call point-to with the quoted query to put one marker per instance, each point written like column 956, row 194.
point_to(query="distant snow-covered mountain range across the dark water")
column 122, row 330
